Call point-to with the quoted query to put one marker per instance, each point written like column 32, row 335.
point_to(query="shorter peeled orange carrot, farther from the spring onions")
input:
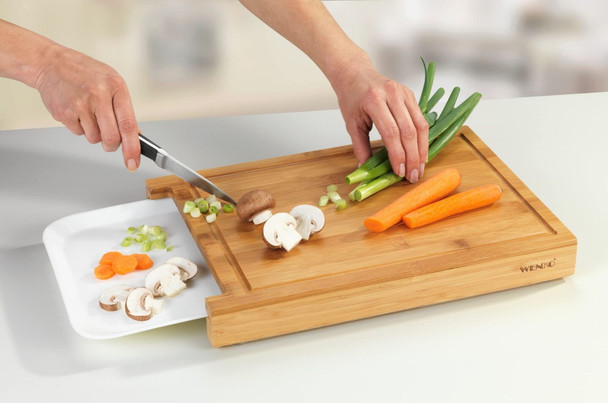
column 458, row 203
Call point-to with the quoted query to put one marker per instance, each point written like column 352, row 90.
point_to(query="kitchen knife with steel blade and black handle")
column 162, row 158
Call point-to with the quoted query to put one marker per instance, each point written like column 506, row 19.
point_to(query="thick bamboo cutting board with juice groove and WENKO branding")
column 344, row 272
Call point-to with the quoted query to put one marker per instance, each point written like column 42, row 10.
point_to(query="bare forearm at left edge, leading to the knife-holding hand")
column 22, row 53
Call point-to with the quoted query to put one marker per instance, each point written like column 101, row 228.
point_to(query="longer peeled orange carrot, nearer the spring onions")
column 432, row 189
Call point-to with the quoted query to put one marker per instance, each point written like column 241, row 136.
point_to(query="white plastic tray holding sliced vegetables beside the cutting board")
column 76, row 243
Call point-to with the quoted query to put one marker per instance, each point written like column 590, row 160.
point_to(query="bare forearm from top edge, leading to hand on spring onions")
column 309, row 26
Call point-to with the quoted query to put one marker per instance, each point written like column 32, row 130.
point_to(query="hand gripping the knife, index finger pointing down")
column 90, row 98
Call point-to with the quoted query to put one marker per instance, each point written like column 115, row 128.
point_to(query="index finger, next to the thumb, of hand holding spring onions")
column 389, row 131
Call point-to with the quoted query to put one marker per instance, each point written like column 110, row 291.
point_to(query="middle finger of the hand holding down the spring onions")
column 407, row 133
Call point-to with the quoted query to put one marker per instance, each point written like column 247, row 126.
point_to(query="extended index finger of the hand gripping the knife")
column 128, row 129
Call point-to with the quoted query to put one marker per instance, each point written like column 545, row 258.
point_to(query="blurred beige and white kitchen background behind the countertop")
column 196, row 58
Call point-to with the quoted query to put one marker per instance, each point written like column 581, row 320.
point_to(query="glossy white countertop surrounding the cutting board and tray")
column 542, row 343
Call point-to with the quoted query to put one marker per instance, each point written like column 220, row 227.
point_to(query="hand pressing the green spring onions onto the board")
column 367, row 97
